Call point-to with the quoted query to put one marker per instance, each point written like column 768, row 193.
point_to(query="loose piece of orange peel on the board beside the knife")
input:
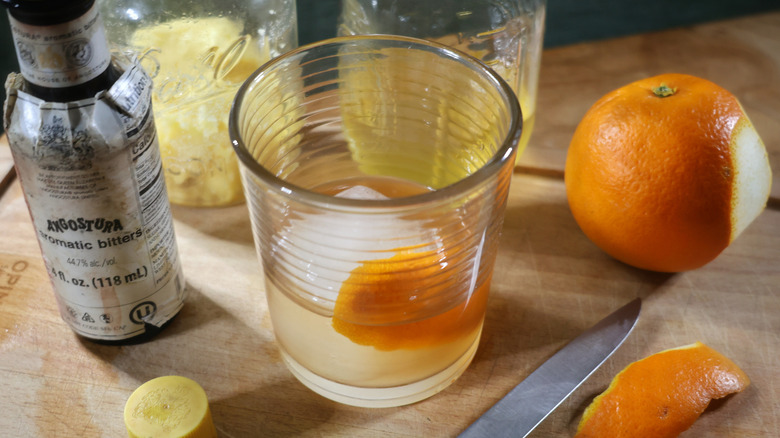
column 662, row 395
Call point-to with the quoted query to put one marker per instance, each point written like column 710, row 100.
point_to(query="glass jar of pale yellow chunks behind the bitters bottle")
column 198, row 52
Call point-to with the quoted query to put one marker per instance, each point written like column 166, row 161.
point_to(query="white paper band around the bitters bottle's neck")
column 62, row 55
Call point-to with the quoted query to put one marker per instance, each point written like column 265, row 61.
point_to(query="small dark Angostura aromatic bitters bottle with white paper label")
column 82, row 135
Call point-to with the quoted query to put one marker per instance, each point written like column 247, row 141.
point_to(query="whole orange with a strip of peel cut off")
column 665, row 172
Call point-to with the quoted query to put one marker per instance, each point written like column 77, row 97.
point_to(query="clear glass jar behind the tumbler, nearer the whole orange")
column 506, row 35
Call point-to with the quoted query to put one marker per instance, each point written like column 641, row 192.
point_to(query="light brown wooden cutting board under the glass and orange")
column 551, row 283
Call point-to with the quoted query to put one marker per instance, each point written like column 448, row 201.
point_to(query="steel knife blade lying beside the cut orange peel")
column 530, row 402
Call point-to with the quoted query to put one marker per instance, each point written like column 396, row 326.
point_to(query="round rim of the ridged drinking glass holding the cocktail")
column 463, row 185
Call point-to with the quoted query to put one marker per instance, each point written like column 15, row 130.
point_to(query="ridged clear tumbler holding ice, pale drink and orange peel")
column 356, row 109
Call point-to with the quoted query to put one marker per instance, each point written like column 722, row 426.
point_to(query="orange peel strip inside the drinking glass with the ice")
column 406, row 287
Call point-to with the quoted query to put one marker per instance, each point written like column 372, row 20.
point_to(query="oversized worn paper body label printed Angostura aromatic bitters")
column 92, row 177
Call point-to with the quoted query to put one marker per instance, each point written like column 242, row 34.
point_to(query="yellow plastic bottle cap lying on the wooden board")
column 169, row 407
